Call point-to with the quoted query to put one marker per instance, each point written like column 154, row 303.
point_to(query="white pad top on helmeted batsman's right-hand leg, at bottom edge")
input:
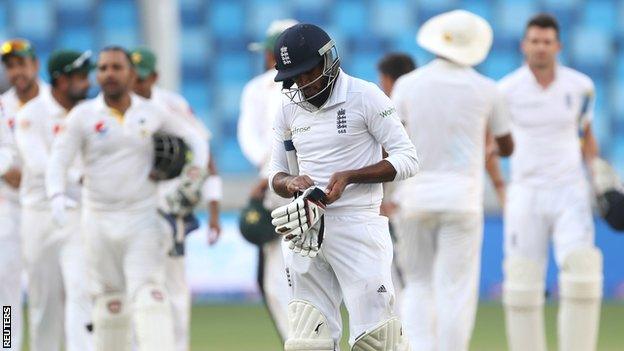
column 385, row 336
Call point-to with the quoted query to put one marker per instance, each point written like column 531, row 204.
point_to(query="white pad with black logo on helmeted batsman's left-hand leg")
column 308, row 328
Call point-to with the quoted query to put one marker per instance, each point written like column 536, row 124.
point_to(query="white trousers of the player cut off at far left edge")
column 11, row 268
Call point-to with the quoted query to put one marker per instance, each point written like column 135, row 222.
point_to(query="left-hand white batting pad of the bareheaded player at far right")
column 523, row 299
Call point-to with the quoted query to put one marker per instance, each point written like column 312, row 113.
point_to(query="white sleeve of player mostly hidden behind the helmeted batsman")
column 250, row 138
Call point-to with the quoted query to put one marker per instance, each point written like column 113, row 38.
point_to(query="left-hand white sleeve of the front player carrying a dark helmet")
column 67, row 144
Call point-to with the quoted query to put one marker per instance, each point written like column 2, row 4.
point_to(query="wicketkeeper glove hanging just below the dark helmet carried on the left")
column 188, row 194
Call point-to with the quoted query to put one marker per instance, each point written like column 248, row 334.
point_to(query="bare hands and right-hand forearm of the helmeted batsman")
column 286, row 185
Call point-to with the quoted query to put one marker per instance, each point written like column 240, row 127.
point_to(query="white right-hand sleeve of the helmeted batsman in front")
column 385, row 125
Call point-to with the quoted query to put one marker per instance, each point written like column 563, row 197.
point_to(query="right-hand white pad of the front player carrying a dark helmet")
column 153, row 320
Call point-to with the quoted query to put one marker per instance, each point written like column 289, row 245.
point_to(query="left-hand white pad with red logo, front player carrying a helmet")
column 111, row 323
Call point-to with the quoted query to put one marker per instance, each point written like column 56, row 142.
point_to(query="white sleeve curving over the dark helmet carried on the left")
column 183, row 129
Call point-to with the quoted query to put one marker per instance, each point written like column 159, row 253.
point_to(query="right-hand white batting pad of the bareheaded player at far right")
column 581, row 293
